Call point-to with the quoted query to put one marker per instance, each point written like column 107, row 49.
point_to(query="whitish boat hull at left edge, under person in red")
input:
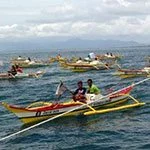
column 21, row 75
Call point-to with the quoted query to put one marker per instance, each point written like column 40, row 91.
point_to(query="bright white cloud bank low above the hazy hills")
column 122, row 26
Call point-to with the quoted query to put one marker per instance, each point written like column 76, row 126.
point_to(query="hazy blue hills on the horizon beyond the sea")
column 47, row 43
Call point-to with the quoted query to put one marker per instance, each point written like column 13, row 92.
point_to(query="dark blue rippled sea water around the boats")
column 128, row 129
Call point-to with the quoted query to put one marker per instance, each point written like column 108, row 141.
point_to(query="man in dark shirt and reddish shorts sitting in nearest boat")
column 79, row 94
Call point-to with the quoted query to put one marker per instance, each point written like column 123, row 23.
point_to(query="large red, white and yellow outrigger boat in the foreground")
column 40, row 111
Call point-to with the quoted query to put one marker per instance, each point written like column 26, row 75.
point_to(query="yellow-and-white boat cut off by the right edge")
column 129, row 73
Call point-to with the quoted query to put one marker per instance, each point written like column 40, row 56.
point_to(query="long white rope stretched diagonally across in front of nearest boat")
column 57, row 116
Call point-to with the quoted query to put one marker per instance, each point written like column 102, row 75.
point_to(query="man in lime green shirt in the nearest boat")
column 92, row 89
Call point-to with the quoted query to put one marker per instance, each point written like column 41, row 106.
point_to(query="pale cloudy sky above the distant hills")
column 85, row 19
